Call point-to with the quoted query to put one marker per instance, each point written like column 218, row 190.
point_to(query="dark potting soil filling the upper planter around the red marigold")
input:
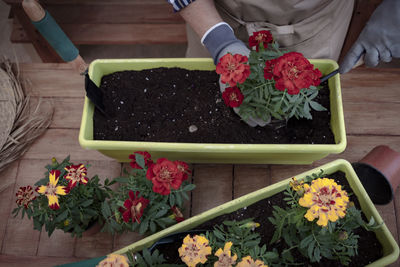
column 162, row 104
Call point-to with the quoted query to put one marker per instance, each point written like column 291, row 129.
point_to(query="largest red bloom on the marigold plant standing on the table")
column 164, row 175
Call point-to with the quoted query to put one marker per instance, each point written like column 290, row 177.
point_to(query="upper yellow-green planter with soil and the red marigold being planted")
column 269, row 84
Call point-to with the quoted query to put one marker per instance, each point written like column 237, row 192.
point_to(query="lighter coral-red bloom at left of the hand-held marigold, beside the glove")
column 233, row 69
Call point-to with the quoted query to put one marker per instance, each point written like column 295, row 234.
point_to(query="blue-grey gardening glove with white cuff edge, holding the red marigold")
column 220, row 40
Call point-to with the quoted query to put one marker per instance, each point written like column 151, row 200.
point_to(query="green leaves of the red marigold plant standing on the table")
column 156, row 216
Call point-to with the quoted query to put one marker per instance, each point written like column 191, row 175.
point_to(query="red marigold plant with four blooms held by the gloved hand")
column 270, row 83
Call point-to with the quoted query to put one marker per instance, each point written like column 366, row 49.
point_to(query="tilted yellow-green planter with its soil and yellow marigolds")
column 319, row 218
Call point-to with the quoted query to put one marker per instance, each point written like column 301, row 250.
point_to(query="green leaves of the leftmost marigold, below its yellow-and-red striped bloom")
column 79, row 209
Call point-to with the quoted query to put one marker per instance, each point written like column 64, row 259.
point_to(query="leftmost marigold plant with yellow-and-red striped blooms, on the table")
column 66, row 199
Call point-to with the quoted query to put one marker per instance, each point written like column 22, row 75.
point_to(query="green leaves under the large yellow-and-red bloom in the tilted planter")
column 337, row 241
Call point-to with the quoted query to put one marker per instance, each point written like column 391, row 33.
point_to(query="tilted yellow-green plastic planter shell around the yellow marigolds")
column 390, row 247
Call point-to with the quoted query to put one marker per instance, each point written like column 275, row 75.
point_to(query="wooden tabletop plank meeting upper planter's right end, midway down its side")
column 372, row 118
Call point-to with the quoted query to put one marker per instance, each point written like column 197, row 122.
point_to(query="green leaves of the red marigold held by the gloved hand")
column 263, row 100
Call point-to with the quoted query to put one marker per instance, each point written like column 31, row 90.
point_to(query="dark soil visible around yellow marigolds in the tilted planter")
column 369, row 248
